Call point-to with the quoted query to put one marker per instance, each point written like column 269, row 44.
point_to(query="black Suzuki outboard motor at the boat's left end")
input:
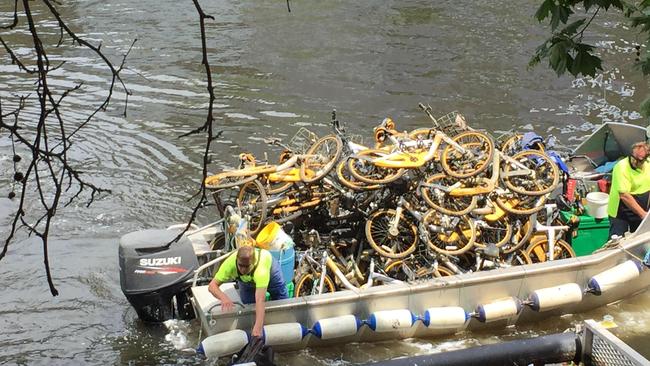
column 155, row 275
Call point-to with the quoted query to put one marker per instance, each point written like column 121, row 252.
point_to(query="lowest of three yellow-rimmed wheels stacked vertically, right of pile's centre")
column 450, row 235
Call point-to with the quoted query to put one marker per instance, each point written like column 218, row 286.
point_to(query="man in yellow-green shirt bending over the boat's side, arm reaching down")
column 256, row 272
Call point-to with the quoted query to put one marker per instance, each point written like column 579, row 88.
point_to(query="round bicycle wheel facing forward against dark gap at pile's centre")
column 394, row 245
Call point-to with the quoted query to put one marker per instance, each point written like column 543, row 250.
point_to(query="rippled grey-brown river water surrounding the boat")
column 274, row 72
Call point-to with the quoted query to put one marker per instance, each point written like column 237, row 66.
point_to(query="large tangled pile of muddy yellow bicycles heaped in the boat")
column 435, row 201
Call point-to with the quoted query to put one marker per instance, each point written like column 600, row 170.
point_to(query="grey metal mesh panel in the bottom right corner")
column 601, row 347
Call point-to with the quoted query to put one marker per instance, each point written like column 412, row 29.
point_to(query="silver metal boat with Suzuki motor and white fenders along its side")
column 440, row 306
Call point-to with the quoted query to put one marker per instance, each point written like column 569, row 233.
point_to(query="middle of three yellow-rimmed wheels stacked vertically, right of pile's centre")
column 441, row 201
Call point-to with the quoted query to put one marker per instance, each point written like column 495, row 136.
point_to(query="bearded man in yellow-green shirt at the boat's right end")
column 628, row 195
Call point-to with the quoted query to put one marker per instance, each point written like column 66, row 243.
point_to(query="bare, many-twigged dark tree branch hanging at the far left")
column 49, row 171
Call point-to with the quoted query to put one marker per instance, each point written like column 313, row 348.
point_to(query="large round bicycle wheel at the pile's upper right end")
column 543, row 178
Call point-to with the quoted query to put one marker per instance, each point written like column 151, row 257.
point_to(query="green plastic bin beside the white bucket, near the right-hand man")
column 592, row 233
